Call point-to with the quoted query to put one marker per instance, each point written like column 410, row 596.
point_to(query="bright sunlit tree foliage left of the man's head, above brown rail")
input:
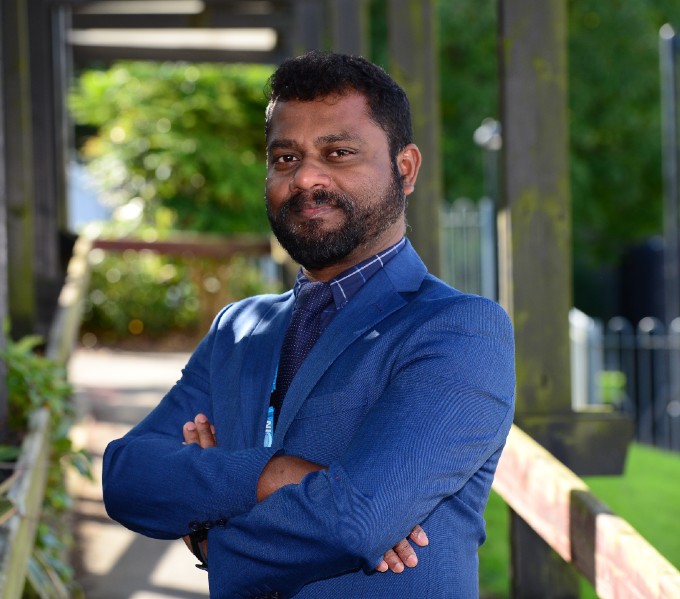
column 184, row 141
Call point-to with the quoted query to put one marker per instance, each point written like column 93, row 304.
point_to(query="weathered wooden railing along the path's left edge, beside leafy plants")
column 17, row 534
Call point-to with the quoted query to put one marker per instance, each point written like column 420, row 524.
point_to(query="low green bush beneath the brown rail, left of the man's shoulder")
column 154, row 297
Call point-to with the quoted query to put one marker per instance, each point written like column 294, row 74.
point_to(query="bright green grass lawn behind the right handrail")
column 647, row 496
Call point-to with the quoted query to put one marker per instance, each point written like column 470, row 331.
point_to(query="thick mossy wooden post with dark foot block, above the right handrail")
column 535, row 267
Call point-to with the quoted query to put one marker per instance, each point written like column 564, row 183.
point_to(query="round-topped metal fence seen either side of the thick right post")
column 636, row 368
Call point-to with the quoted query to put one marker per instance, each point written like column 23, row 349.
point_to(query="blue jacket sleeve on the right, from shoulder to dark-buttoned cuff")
column 444, row 416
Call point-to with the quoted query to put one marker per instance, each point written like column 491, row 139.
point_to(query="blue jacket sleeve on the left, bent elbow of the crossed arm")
column 157, row 486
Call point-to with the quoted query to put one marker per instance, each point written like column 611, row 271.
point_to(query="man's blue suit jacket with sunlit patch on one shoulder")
column 407, row 396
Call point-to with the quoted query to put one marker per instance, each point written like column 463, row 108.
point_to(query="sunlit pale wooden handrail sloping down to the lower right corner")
column 558, row 505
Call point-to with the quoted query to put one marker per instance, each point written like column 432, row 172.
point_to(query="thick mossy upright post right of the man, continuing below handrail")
column 535, row 247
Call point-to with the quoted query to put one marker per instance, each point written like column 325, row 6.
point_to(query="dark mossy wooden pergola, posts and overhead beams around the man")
column 43, row 40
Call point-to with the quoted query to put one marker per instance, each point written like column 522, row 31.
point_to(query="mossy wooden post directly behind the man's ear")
column 414, row 65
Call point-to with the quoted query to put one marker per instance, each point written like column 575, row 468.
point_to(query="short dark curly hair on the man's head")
column 318, row 74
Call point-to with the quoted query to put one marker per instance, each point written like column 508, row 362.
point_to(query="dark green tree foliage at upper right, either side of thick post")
column 614, row 99
